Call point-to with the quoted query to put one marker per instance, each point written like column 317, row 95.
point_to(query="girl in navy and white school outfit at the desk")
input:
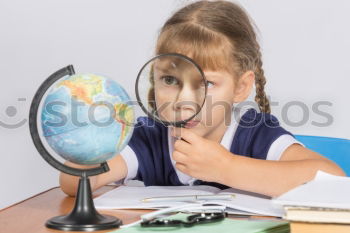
column 245, row 150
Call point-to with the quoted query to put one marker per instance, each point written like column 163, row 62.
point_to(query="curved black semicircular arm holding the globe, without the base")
column 33, row 127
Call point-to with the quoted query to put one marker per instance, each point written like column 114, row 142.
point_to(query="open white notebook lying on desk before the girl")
column 129, row 197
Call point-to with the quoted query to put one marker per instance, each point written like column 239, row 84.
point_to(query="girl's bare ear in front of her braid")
column 244, row 86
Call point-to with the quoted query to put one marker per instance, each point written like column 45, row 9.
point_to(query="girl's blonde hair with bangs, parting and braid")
column 216, row 35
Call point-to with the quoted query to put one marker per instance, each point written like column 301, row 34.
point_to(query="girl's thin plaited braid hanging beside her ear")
column 260, row 82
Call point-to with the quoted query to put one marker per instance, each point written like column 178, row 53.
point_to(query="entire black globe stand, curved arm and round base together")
column 84, row 216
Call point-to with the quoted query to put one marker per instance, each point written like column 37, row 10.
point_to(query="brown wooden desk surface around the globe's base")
column 31, row 215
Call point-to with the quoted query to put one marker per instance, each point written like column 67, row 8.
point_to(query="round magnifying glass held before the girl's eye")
column 171, row 89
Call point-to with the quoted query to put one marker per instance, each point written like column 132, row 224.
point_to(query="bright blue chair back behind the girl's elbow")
column 335, row 149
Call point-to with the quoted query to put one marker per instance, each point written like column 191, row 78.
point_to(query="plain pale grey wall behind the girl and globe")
column 305, row 50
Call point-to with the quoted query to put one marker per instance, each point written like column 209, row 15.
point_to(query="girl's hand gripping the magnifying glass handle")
column 199, row 157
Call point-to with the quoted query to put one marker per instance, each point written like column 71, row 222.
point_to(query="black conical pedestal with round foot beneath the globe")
column 84, row 216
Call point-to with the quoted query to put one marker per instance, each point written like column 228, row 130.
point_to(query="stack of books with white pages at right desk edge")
column 321, row 205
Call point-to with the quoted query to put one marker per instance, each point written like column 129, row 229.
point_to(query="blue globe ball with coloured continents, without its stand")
column 87, row 118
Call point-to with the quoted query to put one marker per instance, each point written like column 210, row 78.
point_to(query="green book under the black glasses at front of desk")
column 226, row 225
